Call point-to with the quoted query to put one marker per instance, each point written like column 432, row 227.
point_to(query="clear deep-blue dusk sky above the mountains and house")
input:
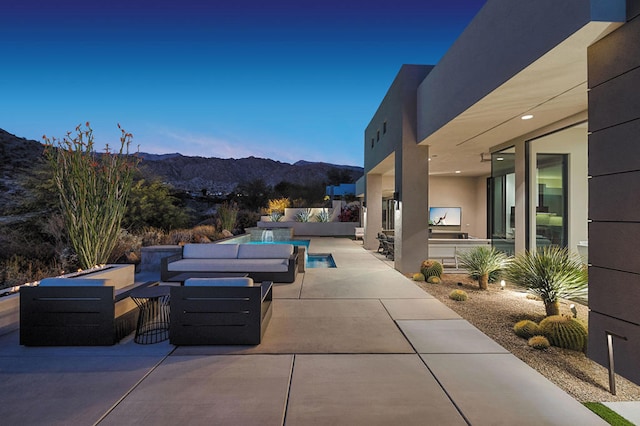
column 279, row 79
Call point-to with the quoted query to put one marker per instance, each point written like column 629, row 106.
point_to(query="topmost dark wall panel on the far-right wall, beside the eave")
column 616, row 54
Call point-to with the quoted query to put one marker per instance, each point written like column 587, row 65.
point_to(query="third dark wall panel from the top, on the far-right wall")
column 615, row 150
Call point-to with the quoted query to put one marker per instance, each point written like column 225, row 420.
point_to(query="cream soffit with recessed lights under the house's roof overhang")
column 552, row 88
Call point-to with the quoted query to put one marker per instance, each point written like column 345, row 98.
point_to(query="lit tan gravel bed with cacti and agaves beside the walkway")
column 495, row 311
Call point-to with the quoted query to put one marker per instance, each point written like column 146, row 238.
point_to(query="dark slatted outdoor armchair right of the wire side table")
column 220, row 311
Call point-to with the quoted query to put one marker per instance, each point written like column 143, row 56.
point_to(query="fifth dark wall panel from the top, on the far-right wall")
column 614, row 245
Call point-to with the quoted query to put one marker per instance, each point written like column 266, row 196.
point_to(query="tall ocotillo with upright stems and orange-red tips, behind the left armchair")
column 93, row 190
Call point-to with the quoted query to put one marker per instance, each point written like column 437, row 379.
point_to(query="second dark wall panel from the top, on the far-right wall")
column 615, row 101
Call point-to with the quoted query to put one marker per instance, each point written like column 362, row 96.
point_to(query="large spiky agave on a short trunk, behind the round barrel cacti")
column 552, row 273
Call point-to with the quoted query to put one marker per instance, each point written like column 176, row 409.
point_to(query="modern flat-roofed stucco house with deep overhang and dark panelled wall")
column 530, row 124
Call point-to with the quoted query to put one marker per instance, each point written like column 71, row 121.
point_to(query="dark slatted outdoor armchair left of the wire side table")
column 76, row 312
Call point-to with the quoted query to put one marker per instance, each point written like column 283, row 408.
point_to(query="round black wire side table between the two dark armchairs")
column 153, row 317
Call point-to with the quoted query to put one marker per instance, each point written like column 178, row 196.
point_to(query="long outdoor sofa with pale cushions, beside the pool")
column 261, row 262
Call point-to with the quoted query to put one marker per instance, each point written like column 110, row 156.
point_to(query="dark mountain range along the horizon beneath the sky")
column 217, row 175
